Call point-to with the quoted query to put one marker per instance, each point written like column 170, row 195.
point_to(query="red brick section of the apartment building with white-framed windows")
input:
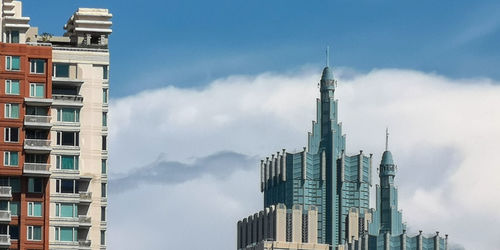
column 25, row 100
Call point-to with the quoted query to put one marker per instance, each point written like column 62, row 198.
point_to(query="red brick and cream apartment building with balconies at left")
column 53, row 176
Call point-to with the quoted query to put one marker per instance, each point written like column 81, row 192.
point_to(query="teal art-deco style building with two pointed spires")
column 337, row 187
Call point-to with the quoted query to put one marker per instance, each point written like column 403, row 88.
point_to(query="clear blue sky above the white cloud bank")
column 191, row 43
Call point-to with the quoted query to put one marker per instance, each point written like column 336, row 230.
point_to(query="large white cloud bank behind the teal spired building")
column 444, row 136
